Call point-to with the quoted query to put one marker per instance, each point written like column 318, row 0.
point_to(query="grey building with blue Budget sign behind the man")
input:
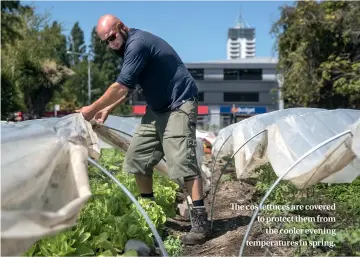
column 242, row 85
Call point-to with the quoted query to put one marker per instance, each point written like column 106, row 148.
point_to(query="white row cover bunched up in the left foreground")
column 44, row 181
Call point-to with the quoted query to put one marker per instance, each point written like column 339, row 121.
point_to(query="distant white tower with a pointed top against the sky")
column 241, row 41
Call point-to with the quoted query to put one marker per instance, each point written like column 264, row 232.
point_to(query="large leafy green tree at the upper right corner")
column 318, row 46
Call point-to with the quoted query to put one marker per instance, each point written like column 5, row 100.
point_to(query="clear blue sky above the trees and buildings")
column 196, row 30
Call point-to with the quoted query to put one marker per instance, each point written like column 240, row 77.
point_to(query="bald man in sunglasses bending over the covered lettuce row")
column 169, row 124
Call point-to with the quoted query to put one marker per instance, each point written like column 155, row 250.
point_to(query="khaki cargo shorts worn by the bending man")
column 172, row 134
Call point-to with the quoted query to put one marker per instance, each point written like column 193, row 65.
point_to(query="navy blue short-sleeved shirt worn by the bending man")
column 153, row 64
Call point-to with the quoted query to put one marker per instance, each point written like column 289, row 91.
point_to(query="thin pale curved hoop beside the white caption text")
column 242, row 248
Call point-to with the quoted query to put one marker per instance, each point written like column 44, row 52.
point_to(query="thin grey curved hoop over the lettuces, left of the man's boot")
column 137, row 204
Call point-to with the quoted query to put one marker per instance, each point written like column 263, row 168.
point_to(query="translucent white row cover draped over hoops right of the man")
column 288, row 135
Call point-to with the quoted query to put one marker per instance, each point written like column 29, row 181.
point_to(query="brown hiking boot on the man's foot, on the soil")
column 200, row 228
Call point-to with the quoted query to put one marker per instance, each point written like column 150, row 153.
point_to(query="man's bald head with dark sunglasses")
column 112, row 31
